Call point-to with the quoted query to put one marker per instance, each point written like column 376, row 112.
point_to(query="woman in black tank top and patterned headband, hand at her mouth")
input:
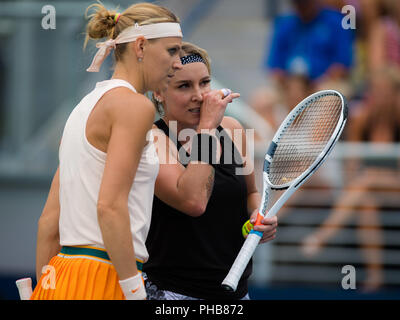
column 199, row 206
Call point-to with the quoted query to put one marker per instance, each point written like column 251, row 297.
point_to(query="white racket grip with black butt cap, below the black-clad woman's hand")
column 231, row 280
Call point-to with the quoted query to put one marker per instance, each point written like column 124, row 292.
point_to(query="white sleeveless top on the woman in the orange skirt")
column 81, row 171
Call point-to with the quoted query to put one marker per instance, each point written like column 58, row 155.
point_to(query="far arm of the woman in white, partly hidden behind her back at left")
column 48, row 237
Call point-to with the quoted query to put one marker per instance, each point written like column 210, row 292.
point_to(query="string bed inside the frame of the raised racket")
column 303, row 140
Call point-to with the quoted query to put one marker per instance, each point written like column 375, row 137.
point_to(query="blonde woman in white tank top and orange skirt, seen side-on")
column 92, row 232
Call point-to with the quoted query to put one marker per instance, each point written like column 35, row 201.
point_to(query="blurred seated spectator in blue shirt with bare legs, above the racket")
column 308, row 49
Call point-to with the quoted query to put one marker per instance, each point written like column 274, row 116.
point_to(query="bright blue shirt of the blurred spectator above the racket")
column 311, row 42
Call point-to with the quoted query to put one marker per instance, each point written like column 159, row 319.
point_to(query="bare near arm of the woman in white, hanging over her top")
column 131, row 118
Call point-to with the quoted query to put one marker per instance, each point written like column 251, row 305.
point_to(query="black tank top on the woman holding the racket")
column 192, row 256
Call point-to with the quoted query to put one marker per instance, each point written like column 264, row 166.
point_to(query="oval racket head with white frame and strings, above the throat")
column 304, row 139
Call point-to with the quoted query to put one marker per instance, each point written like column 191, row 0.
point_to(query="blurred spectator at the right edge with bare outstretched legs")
column 377, row 121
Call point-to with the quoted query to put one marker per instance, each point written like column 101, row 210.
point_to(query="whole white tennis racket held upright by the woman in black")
column 299, row 147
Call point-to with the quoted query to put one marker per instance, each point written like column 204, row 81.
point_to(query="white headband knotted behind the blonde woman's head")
column 130, row 34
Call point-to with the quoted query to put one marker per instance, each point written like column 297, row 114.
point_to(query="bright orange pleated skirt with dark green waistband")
column 79, row 273
